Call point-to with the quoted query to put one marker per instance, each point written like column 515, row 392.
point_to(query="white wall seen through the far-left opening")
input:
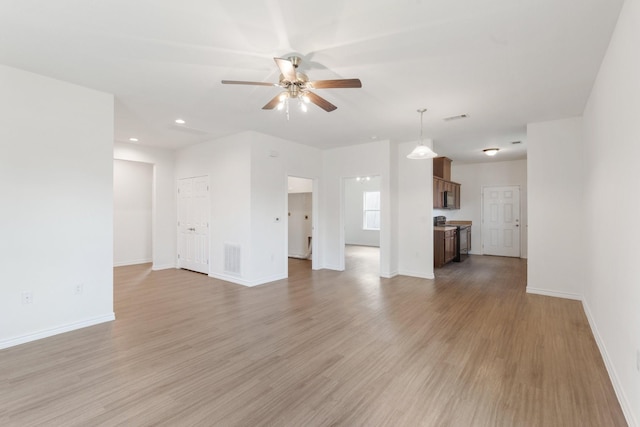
column 132, row 211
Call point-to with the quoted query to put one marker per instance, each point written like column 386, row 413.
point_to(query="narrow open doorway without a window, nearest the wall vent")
column 300, row 218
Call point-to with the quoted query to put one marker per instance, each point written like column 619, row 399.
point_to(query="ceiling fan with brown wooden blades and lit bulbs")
column 297, row 85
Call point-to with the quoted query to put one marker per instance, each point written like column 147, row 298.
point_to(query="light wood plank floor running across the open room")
column 322, row 348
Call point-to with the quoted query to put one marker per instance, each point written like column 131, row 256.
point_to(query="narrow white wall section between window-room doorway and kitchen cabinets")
column 415, row 214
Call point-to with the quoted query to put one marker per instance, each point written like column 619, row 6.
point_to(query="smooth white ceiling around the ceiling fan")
column 505, row 63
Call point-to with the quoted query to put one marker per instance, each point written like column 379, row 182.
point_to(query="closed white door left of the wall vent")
column 193, row 224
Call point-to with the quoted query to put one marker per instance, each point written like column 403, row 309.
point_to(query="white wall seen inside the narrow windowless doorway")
column 300, row 217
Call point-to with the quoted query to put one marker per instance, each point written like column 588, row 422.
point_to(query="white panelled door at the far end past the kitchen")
column 501, row 221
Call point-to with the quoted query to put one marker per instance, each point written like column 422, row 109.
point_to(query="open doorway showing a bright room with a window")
column 362, row 223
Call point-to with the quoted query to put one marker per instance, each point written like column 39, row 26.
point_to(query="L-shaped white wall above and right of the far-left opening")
column 164, row 217
